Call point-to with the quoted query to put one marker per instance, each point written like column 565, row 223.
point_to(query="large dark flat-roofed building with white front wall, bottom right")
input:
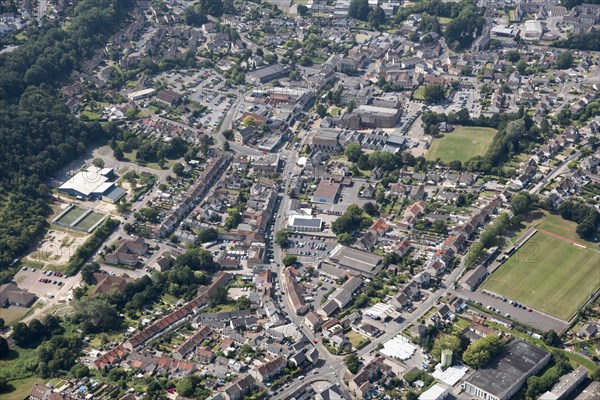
column 505, row 376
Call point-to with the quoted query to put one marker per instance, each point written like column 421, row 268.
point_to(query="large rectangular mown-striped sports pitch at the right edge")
column 548, row 274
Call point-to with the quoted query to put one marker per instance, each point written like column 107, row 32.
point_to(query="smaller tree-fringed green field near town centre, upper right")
column 463, row 143
